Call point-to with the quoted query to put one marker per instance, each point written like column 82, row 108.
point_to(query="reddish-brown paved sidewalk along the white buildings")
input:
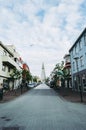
column 10, row 95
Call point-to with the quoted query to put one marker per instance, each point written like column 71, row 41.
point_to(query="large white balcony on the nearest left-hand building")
column 9, row 62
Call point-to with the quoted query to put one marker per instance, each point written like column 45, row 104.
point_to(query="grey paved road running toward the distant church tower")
column 42, row 109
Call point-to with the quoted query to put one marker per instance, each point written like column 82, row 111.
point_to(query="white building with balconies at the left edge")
column 9, row 59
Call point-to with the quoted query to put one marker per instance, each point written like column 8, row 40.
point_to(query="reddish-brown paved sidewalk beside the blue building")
column 71, row 95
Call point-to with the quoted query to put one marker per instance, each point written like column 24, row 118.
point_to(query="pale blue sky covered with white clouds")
column 42, row 31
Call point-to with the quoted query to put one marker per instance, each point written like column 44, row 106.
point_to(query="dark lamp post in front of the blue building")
column 79, row 85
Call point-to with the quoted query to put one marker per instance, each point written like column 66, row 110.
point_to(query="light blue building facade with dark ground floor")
column 78, row 62
